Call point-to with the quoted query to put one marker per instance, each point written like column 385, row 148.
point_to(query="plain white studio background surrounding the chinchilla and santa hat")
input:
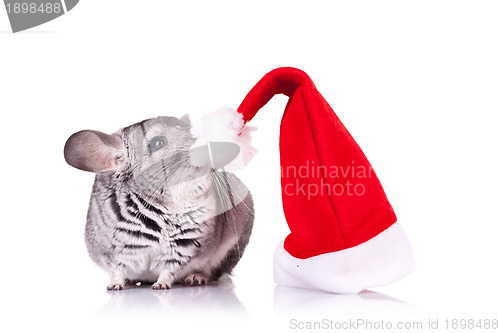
column 416, row 83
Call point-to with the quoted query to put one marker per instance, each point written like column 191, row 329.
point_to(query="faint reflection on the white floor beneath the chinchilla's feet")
column 199, row 300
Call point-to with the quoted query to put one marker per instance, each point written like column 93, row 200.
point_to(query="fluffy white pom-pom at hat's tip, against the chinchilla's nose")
column 225, row 125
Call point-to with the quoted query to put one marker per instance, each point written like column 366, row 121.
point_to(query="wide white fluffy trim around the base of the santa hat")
column 383, row 259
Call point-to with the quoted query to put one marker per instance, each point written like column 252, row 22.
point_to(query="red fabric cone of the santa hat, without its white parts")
column 312, row 135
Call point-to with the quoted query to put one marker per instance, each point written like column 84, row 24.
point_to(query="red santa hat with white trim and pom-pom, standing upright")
column 344, row 234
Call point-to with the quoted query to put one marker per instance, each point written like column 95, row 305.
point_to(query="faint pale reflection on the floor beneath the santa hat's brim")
column 295, row 301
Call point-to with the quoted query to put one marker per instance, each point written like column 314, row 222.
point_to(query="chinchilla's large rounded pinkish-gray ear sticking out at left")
column 95, row 151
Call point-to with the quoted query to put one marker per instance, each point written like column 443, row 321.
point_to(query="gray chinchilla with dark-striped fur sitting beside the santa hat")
column 153, row 217
